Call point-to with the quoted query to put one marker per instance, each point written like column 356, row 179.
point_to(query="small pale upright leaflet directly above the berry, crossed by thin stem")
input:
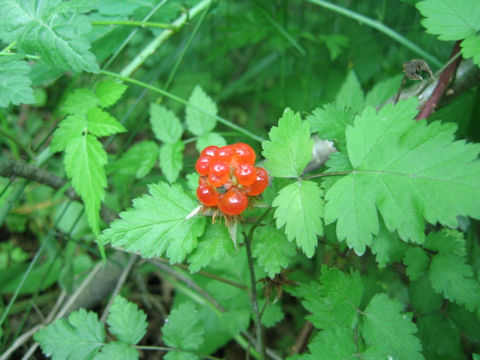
column 200, row 122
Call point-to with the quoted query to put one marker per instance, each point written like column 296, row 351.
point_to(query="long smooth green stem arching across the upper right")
column 380, row 27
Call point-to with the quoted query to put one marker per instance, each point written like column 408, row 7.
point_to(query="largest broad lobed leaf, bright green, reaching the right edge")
column 395, row 174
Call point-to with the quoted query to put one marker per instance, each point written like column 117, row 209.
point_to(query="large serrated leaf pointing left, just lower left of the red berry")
column 157, row 224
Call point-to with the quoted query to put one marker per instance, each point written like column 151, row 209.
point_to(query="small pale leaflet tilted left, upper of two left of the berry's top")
column 165, row 124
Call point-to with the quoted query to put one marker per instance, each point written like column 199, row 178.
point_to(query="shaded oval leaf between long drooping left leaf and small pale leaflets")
column 138, row 161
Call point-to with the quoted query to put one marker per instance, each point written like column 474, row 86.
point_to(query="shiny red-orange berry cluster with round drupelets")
column 228, row 176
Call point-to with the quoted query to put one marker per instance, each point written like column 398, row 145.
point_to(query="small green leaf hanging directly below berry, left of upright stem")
column 213, row 246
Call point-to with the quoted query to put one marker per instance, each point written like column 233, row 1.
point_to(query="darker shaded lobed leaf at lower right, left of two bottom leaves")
column 335, row 301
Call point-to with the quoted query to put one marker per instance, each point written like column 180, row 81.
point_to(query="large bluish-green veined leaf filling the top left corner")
column 55, row 32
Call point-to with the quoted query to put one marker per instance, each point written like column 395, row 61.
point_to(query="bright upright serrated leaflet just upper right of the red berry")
column 290, row 147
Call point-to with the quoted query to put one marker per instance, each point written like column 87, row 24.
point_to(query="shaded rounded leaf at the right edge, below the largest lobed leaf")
column 452, row 277
